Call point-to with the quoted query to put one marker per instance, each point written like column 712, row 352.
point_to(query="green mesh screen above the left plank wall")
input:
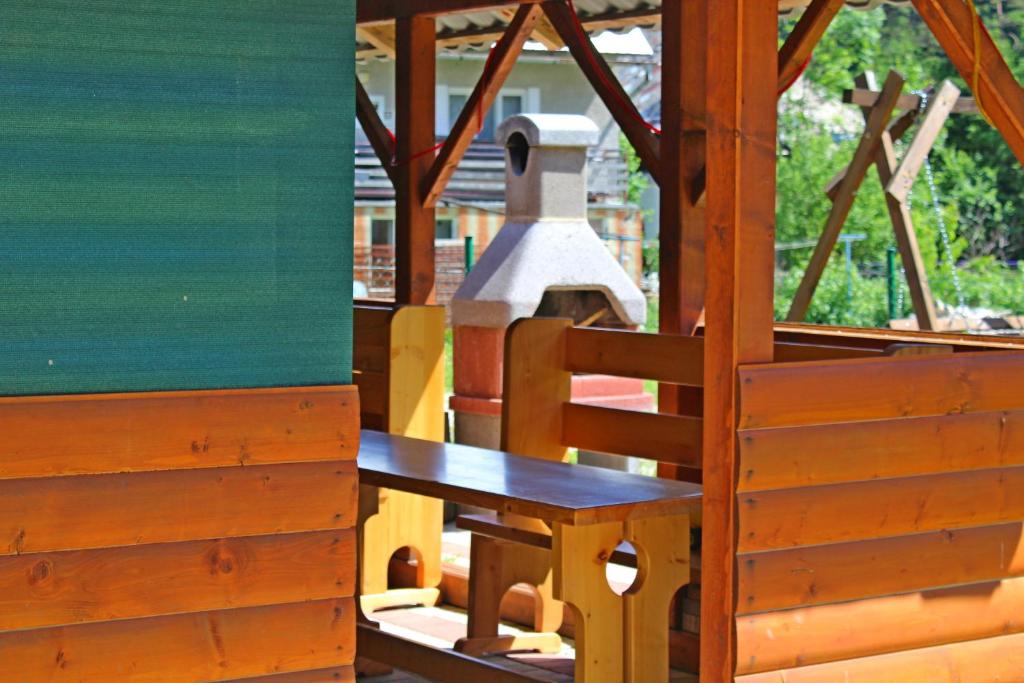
column 177, row 194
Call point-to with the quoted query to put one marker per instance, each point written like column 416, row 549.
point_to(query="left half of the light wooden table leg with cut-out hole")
column 580, row 556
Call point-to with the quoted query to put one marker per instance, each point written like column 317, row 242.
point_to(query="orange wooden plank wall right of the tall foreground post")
column 880, row 521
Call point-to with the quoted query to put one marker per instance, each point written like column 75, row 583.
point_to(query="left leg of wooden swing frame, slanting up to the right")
column 863, row 158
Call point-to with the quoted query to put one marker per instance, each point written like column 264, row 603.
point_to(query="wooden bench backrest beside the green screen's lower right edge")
column 399, row 365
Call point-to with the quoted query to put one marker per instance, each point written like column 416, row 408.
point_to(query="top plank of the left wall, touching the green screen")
column 136, row 433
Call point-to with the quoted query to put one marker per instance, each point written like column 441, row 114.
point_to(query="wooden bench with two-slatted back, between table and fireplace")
column 540, row 420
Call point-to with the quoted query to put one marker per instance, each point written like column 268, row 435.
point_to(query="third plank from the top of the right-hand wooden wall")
column 836, row 514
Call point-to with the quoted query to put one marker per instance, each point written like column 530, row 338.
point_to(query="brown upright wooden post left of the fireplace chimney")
column 415, row 80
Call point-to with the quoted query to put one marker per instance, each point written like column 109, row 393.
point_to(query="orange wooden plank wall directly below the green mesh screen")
column 179, row 537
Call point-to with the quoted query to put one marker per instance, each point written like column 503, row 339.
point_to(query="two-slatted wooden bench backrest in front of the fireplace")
column 539, row 418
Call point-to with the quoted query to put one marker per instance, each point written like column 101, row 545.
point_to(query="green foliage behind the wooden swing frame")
column 978, row 179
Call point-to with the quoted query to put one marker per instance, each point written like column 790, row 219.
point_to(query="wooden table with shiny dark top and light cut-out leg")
column 590, row 511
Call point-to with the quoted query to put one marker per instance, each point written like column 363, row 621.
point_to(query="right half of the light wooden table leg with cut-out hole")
column 663, row 546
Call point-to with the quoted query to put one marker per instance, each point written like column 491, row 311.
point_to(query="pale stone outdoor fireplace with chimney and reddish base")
column 546, row 261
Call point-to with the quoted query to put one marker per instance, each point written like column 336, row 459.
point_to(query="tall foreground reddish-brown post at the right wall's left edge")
column 742, row 124
